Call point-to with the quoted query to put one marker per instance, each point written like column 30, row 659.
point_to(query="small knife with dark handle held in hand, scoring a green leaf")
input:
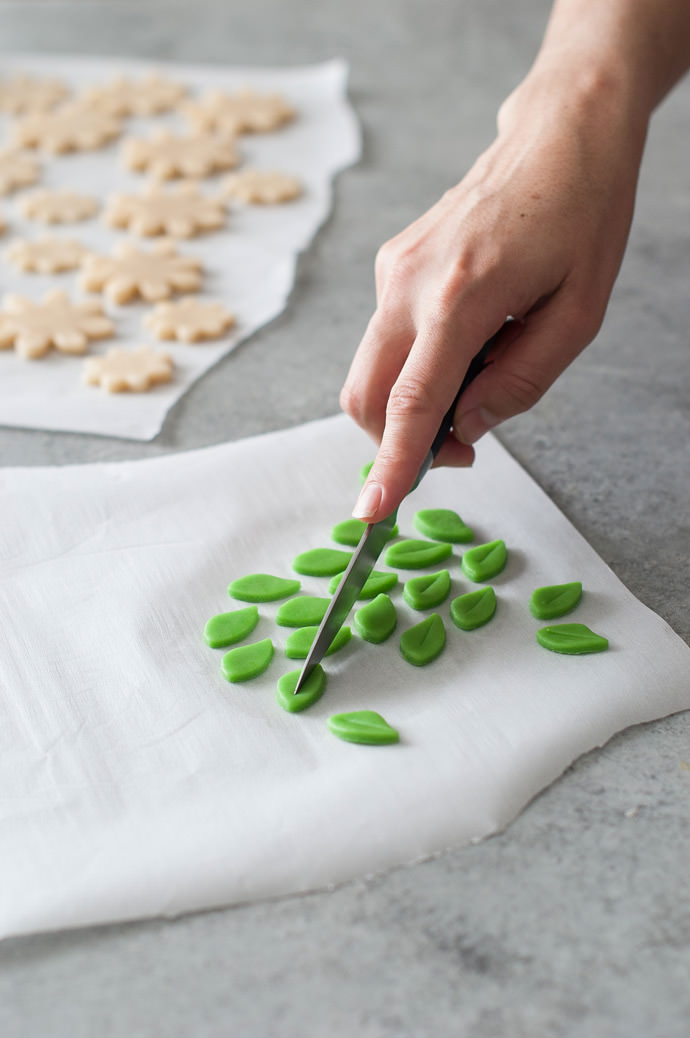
column 374, row 539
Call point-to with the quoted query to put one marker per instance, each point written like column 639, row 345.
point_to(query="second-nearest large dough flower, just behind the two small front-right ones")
column 131, row 272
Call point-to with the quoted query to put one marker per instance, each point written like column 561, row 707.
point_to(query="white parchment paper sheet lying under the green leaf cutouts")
column 136, row 782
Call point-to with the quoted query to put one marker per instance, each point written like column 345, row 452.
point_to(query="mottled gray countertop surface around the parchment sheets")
column 576, row 921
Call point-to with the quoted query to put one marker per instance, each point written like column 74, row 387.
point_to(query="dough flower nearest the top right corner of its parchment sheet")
column 246, row 112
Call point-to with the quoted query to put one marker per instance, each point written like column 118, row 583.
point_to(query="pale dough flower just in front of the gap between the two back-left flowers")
column 73, row 127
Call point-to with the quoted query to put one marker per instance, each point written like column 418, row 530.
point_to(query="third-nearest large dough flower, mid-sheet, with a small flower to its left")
column 182, row 212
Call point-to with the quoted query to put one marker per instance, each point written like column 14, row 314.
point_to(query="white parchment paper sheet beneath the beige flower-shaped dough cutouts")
column 250, row 265
